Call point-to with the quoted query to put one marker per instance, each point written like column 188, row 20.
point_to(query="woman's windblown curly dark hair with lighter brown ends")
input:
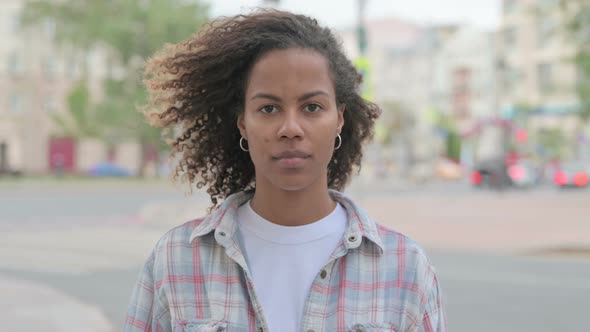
column 197, row 90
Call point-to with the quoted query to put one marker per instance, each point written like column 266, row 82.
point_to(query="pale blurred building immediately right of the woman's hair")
column 400, row 55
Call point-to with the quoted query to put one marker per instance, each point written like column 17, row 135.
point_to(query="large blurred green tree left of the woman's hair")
column 127, row 32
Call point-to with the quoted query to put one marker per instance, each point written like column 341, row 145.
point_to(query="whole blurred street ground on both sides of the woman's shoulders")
column 504, row 259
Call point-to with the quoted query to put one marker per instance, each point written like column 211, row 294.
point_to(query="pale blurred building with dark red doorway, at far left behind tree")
column 35, row 78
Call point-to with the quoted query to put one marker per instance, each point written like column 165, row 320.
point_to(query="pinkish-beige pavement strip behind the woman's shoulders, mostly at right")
column 510, row 223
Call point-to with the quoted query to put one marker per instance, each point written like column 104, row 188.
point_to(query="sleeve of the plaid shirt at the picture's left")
column 145, row 307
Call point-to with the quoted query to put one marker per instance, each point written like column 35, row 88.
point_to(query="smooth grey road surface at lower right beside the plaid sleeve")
column 489, row 293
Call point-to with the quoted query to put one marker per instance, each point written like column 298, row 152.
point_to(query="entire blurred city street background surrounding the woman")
column 481, row 152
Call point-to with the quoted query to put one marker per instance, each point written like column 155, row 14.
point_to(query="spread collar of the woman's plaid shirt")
column 223, row 221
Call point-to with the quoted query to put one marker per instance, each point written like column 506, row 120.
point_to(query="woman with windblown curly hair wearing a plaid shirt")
column 272, row 123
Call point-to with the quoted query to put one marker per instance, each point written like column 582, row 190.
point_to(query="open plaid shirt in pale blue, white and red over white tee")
column 196, row 279
